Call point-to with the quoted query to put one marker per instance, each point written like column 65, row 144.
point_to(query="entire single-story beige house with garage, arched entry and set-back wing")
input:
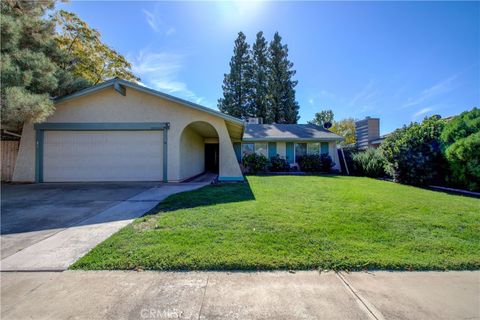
column 122, row 131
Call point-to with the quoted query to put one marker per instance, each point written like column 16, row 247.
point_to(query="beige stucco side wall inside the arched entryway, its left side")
column 192, row 154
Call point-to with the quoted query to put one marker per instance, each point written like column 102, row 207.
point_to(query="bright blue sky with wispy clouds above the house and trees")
column 399, row 61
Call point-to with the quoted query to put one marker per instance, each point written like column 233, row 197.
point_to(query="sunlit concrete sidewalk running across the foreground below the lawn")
column 238, row 295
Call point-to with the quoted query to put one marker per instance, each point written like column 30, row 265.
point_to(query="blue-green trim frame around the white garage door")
column 40, row 129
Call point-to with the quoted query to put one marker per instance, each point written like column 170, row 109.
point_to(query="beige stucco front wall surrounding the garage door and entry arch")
column 109, row 106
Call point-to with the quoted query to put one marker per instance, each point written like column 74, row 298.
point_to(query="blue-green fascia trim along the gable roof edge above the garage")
column 120, row 84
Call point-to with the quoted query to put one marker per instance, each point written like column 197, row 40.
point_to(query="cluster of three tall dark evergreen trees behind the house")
column 260, row 83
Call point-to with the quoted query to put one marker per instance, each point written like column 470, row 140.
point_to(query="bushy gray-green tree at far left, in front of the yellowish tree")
column 31, row 60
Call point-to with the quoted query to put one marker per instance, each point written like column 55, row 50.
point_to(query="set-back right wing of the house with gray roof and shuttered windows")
column 289, row 141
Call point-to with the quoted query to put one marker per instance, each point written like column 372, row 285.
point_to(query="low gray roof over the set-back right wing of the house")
column 288, row 132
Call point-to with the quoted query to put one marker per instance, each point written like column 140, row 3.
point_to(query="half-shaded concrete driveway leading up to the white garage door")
column 49, row 226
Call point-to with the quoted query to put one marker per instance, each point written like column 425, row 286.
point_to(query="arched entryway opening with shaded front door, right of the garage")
column 199, row 149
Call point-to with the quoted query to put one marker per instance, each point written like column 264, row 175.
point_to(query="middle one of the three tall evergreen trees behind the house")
column 260, row 69
